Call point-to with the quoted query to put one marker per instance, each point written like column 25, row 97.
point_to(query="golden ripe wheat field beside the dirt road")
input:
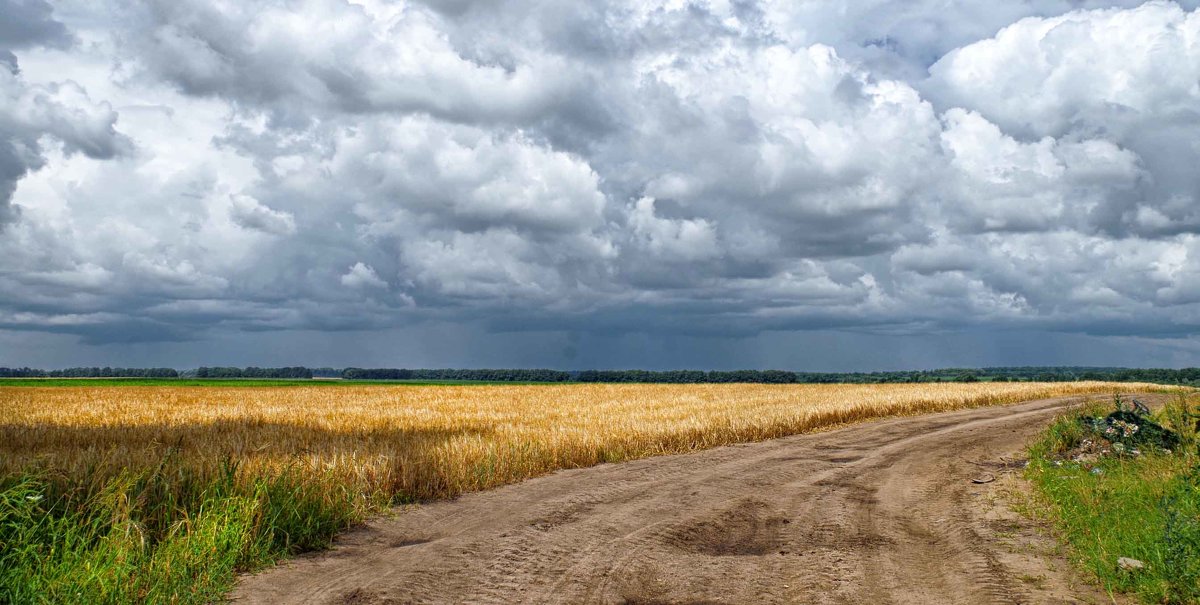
column 441, row 441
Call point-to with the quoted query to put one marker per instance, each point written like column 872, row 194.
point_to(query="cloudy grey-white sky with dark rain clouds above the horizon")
column 751, row 184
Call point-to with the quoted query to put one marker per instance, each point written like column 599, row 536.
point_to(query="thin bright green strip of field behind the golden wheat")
column 232, row 382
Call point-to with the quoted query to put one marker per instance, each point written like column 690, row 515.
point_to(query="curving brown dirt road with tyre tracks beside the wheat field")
column 877, row 513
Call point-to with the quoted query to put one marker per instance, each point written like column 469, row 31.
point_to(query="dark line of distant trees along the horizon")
column 1067, row 374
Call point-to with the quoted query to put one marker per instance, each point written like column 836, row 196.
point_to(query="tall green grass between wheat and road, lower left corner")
column 169, row 535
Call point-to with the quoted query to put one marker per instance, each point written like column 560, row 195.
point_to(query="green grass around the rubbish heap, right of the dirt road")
column 1145, row 508
